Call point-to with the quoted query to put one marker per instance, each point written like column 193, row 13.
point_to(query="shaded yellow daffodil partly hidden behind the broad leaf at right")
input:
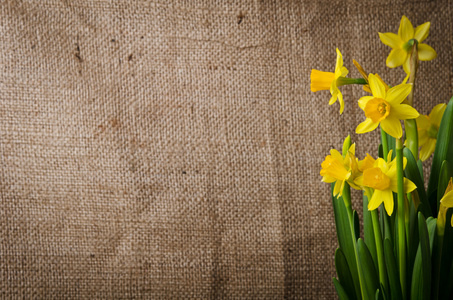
column 428, row 126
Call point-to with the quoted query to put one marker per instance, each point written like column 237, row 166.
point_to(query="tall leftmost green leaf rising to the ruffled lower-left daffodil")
column 345, row 240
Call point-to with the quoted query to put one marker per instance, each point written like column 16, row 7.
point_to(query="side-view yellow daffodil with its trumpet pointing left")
column 330, row 81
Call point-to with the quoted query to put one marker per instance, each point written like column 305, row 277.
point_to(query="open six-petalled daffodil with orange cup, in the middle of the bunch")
column 385, row 108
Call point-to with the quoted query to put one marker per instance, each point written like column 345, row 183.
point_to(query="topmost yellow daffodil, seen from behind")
column 400, row 53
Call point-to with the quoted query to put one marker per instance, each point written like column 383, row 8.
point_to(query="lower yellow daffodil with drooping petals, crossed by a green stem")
column 382, row 179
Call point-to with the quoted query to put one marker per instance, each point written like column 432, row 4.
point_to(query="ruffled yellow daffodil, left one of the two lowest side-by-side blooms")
column 339, row 169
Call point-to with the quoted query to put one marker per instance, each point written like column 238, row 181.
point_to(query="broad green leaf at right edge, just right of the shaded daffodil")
column 443, row 151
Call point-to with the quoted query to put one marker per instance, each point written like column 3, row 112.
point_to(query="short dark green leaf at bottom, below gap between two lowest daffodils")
column 369, row 271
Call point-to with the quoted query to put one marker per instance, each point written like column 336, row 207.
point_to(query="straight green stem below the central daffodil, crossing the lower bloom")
column 401, row 217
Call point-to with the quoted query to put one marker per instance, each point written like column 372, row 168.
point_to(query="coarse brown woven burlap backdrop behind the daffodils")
column 171, row 149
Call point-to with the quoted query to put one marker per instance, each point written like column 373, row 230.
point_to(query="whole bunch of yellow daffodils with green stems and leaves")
column 403, row 256
